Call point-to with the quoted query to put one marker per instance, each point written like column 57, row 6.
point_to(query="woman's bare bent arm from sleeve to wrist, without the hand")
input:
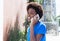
column 32, row 37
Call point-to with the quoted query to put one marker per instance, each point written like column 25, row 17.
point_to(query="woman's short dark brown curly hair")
column 36, row 7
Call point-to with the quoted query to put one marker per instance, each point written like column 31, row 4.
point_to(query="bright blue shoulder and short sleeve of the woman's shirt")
column 40, row 28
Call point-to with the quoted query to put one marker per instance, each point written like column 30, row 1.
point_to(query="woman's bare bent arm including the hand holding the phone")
column 32, row 37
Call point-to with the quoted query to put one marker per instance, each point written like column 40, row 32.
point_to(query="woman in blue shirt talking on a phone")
column 37, row 30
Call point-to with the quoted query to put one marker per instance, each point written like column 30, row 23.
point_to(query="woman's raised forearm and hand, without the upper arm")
column 32, row 37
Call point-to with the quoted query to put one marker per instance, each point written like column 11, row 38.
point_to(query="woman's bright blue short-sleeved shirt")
column 39, row 28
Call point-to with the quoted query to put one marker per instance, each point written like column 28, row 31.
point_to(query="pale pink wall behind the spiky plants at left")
column 11, row 8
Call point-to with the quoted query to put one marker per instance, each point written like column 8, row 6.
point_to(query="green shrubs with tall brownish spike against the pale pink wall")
column 15, row 33
